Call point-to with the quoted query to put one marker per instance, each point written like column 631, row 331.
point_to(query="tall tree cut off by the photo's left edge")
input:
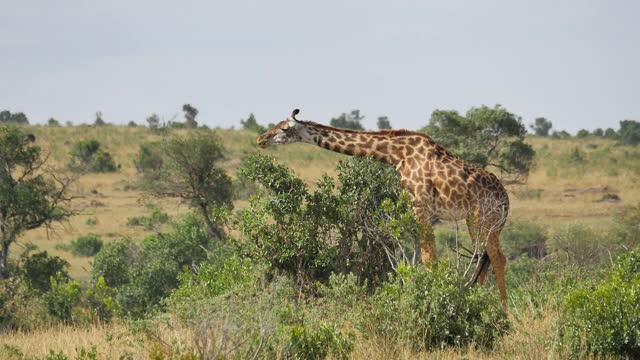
column 31, row 194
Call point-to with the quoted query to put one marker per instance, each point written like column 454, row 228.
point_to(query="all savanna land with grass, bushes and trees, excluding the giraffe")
column 173, row 241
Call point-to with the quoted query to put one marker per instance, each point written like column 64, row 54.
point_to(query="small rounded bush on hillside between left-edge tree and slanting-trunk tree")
column 87, row 155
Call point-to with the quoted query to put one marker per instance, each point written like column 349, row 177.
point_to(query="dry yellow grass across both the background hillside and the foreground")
column 561, row 189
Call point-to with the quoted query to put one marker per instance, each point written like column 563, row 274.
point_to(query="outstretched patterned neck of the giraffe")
column 378, row 145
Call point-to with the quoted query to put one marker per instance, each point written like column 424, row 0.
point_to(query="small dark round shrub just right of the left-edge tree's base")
column 37, row 270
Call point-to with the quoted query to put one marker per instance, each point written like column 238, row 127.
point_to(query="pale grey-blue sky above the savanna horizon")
column 576, row 63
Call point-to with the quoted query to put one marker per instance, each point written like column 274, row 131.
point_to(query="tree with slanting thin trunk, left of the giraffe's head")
column 189, row 170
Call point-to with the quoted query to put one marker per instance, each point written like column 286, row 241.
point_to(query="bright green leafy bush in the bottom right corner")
column 605, row 319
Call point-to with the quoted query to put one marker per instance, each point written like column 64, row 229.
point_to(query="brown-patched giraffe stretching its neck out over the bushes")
column 440, row 185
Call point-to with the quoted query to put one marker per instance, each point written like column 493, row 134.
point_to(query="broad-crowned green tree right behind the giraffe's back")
column 487, row 137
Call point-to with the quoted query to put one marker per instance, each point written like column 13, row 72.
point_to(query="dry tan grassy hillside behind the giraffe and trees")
column 568, row 183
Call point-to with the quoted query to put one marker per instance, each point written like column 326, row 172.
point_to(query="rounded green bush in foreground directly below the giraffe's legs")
column 430, row 308
